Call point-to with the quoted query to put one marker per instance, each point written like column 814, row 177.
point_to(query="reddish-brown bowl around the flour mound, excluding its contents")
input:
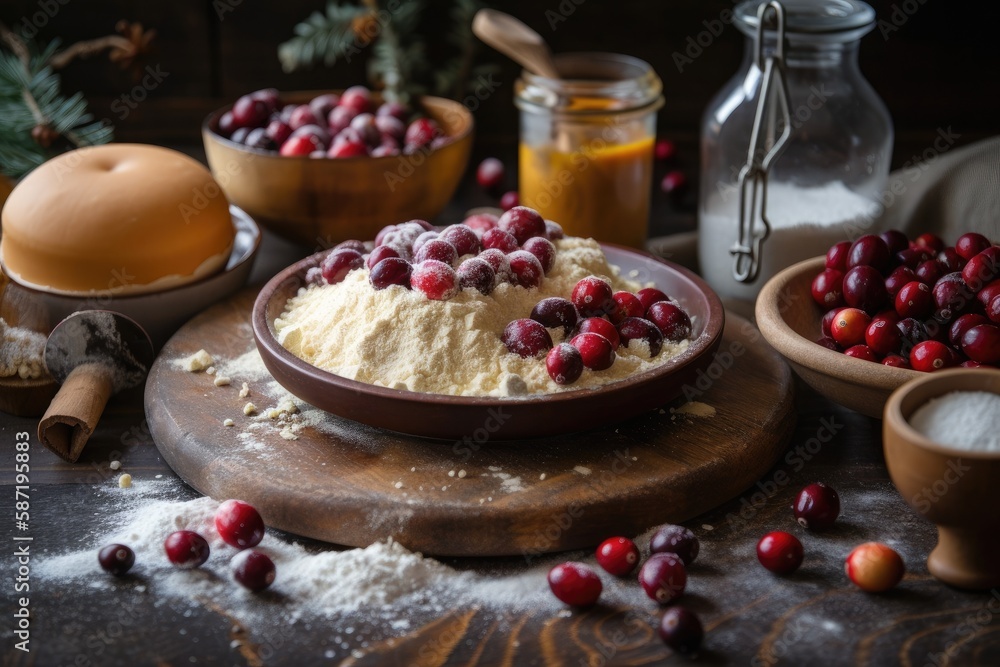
column 455, row 417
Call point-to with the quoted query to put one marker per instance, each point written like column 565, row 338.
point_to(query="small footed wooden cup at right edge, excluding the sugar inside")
column 952, row 488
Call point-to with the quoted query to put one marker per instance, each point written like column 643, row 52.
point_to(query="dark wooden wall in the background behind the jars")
column 938, row 69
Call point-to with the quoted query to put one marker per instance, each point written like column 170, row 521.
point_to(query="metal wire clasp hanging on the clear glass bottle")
column 772, row 116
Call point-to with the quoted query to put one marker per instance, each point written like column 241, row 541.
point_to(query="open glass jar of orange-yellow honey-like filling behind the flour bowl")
column 586, row 147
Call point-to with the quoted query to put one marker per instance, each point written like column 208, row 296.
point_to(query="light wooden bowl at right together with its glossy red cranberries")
column 874, row 313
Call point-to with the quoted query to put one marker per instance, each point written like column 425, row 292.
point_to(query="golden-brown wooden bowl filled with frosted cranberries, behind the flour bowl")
column 323, row 167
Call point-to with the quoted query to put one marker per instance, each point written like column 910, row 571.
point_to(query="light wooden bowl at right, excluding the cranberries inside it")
column 790, row 321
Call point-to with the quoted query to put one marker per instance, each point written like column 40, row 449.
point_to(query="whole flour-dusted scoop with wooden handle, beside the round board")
column 93, row 354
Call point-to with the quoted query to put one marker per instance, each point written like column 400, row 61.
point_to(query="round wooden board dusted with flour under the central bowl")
column 352, row 484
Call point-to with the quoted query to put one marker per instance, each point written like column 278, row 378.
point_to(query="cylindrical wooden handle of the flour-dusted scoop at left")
column 74, row 412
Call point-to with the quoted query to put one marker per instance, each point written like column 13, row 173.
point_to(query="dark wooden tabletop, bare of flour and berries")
column 752, row 617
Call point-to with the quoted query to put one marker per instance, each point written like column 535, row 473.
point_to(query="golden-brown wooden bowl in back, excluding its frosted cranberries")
column 320, row 202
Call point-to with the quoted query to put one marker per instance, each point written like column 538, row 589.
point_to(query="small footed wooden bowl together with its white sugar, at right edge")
column 941, row 434
